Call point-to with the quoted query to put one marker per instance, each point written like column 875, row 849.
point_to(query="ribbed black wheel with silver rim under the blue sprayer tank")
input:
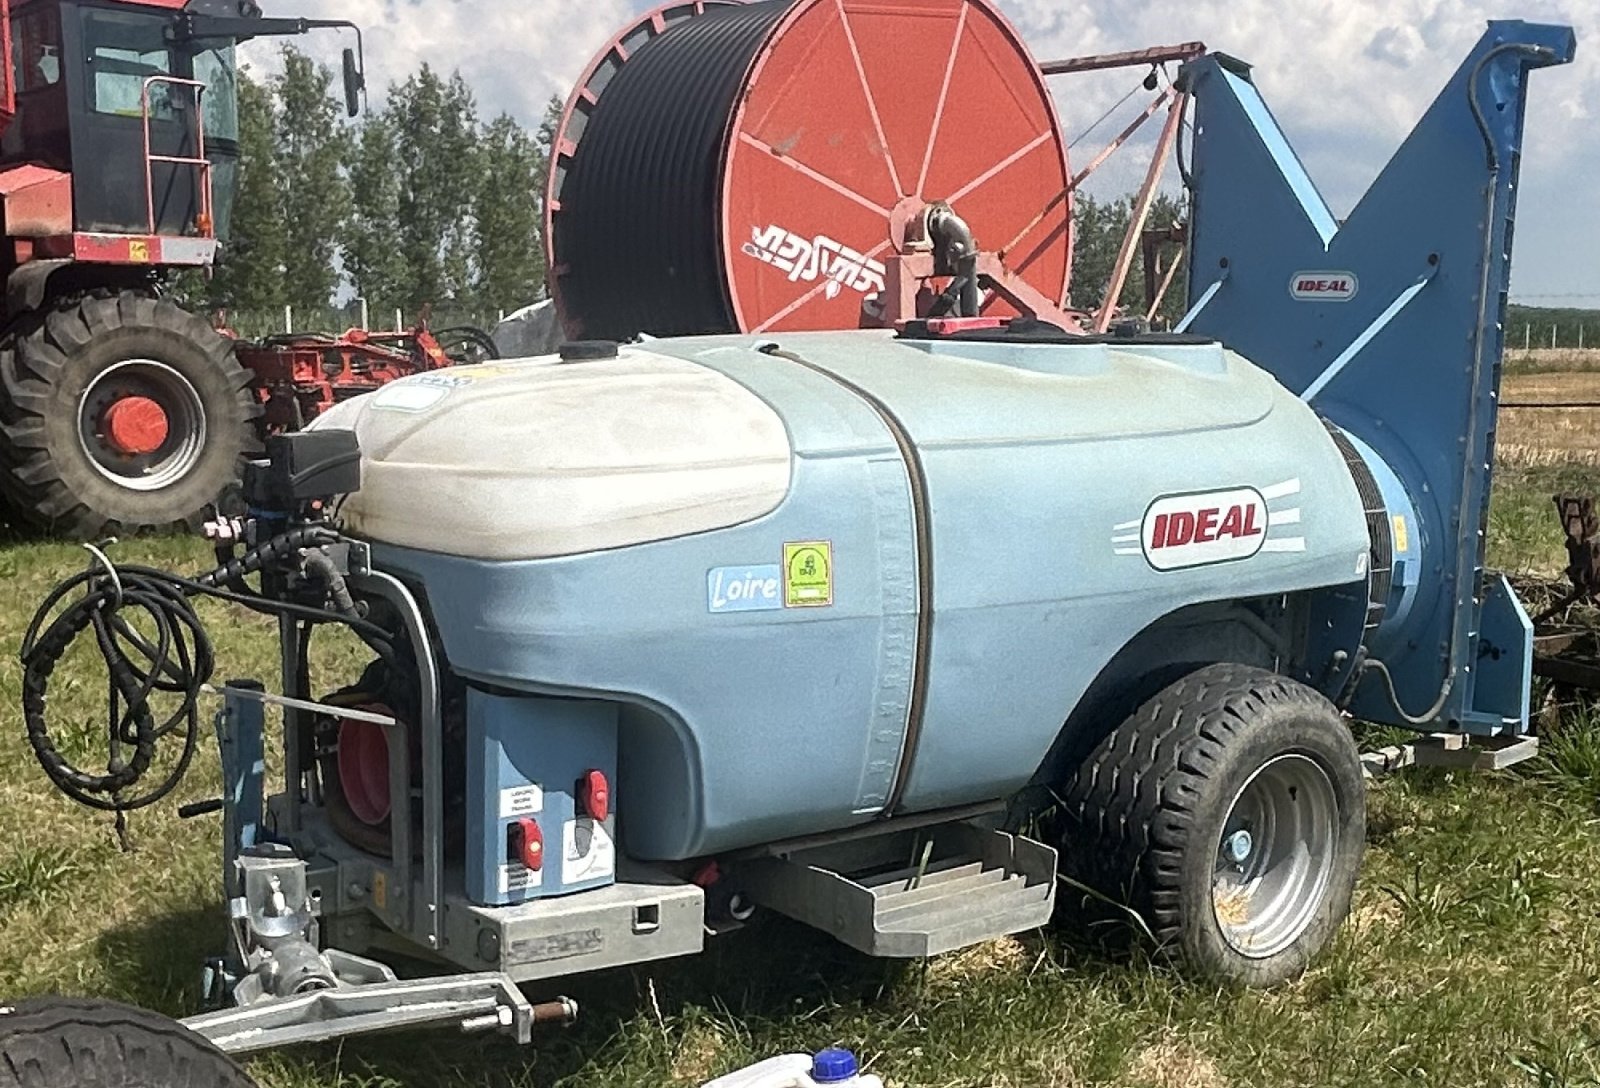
column 1230, row 812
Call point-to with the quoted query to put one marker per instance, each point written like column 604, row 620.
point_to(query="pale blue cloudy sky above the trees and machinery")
column 1348, row 81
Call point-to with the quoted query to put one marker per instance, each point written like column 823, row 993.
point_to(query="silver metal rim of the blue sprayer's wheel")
column 1276, row 855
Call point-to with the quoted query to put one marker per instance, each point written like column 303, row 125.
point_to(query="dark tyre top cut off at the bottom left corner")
column 82, row 1044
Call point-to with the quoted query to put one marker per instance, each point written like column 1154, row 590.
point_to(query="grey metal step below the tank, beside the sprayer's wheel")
column 913, row 894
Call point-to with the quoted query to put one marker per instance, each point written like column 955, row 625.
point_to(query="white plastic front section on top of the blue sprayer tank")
column 534, row 458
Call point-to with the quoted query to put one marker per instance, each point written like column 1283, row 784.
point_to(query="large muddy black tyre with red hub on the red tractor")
column 121, row 414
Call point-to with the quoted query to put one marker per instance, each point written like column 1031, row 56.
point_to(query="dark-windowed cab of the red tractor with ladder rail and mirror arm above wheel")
column 137, row 105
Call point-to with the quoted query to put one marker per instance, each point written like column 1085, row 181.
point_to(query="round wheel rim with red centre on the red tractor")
column 145, row 457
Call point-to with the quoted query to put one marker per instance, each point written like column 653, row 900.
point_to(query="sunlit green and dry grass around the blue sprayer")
column 1473, row 956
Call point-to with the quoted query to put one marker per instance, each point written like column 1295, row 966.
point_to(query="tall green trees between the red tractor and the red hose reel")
column 420, row 204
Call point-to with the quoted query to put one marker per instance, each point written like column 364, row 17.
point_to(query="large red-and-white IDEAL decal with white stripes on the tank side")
column 1212, row 527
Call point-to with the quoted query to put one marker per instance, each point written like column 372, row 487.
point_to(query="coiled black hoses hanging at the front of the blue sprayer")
column 154, row 644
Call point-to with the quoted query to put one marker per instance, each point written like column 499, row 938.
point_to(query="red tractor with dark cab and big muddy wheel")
column 121, row 145
